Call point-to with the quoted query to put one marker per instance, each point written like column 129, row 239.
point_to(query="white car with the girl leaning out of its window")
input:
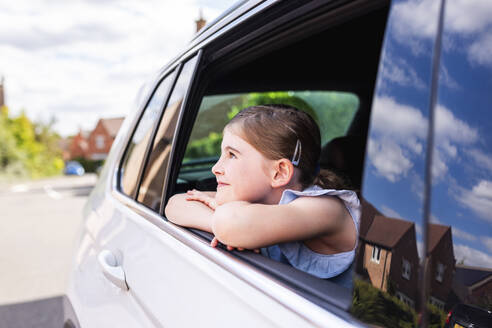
column 401, row 92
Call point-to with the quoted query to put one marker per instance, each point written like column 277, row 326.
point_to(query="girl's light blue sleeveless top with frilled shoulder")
column 301, row 257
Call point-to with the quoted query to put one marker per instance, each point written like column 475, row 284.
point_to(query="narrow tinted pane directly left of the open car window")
column 153, row 178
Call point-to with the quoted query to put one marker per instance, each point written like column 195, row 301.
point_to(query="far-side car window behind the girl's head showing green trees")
column 333, row 111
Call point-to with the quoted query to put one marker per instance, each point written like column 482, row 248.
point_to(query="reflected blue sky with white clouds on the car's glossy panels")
column 462, row 161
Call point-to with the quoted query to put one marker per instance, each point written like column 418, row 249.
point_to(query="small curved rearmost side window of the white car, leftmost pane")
column 137, row 148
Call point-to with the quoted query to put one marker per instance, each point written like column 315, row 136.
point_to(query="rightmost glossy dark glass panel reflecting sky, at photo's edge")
column 460, row 232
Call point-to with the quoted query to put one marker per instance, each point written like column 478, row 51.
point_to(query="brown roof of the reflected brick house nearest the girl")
column 386, row 231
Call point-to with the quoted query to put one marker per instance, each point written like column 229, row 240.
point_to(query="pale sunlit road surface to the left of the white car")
column 39, row 223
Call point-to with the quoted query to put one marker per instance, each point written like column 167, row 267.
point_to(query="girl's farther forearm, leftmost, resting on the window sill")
column 189, row 213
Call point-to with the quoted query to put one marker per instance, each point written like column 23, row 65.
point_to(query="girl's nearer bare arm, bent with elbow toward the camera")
column 242, row 224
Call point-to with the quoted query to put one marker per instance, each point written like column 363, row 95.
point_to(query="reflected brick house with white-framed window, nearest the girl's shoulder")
column 390, row 258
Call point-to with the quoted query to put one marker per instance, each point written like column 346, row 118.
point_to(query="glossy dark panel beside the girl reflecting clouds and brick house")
column 391, row 229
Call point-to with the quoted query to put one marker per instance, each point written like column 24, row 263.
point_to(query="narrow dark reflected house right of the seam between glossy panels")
column 441, row 263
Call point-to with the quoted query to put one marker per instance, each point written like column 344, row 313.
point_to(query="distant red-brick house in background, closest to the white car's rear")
column 101, row 138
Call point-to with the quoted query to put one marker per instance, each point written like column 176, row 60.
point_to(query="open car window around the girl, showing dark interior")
column 335, row 87
